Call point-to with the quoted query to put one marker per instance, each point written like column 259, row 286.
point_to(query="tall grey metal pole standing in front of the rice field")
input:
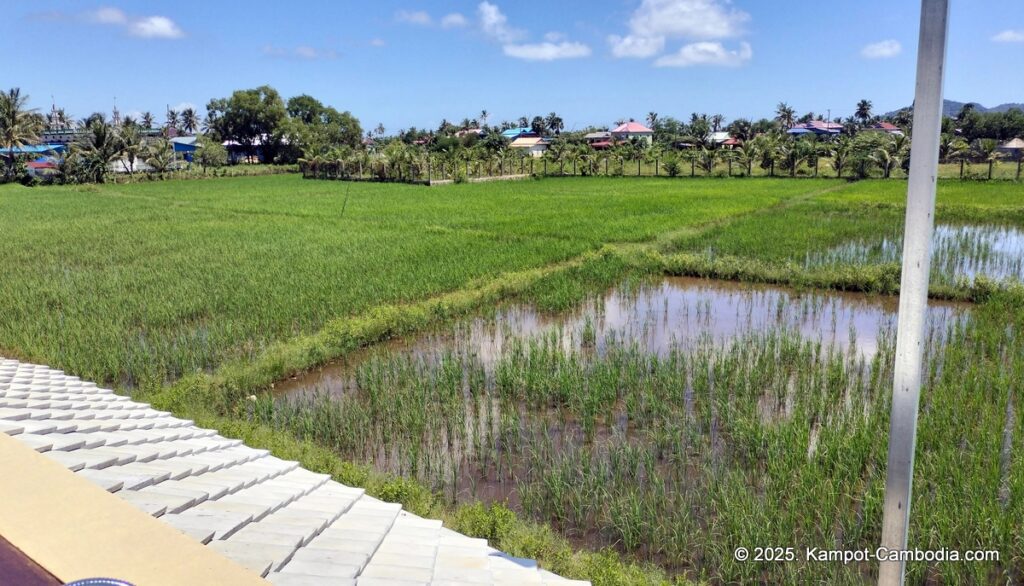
column 914, row 283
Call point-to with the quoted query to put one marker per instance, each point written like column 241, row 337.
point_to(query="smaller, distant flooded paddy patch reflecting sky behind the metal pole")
column 959, row 253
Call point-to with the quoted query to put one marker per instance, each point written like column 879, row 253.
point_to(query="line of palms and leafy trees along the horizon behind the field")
column 259, row 122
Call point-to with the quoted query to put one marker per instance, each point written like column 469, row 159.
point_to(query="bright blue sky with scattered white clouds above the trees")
column 404, row 63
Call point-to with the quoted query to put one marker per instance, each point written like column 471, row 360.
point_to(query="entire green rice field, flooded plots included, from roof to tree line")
column 625, row 379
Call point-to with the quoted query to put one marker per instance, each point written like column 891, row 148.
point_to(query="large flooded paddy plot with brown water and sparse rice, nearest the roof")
column 673, row 421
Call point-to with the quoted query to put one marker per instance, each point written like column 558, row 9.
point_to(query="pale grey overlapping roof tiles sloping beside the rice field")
column 285, row 523
